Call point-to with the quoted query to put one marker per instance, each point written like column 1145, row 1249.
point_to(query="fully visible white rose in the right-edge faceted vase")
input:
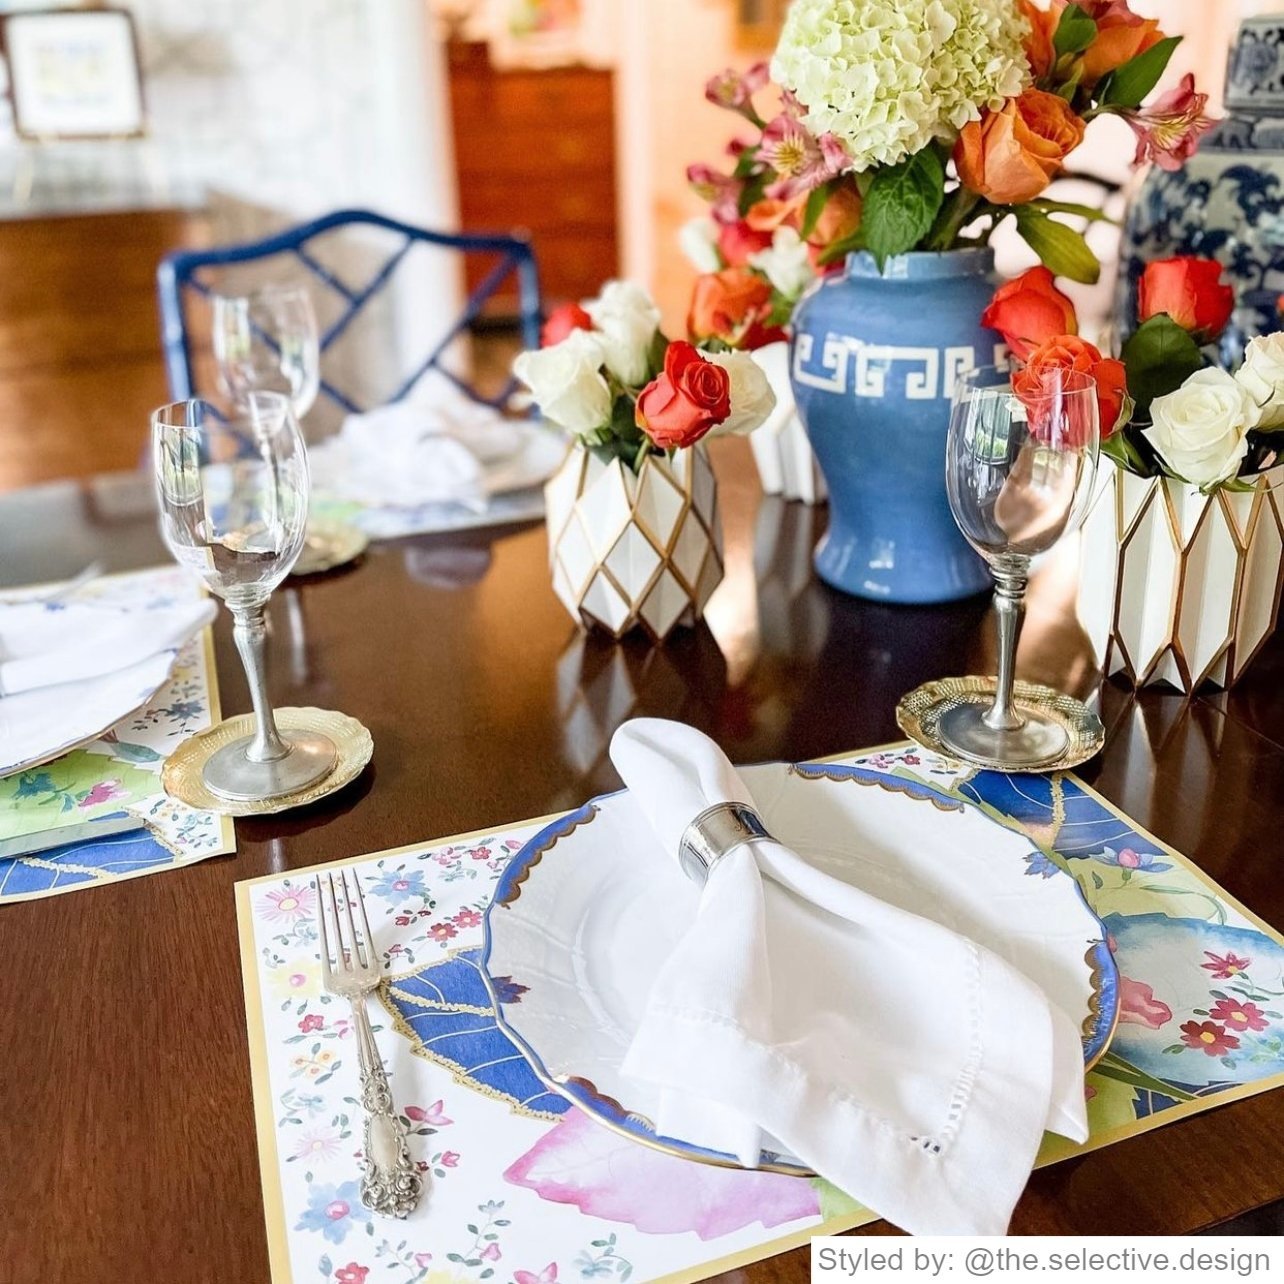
column 1201, row 429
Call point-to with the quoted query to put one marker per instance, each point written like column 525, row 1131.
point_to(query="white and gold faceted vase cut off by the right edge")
column 1177, row 586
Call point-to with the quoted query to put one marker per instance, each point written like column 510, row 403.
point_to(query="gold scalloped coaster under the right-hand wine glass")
column 920, row 713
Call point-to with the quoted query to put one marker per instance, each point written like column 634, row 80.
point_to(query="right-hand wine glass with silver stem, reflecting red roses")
column 1021, row 462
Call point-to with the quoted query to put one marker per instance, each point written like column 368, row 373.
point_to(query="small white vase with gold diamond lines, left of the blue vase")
column 632, row 549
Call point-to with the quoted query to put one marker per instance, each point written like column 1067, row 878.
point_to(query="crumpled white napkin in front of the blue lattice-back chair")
column 414, row 454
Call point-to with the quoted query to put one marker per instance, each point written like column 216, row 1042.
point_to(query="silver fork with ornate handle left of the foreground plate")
column 390, row 1183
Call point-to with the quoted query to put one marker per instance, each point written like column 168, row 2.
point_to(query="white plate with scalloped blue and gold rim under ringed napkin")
column 587, row 912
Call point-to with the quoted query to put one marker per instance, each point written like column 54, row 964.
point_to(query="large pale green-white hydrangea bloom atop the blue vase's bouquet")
column 890, row 76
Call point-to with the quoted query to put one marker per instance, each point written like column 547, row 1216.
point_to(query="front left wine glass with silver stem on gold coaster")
column 234, row 505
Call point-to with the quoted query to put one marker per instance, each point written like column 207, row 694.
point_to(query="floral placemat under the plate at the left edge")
column 120, row 772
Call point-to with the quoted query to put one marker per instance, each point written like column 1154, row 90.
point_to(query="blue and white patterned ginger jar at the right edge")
column 1228, row 200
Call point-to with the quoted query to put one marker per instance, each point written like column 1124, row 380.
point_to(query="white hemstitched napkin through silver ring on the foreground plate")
column 910, row 1066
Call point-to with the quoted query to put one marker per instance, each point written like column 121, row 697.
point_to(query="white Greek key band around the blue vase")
column 867, row 370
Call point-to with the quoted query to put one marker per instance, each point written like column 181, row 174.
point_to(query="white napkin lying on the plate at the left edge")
column 51, row 644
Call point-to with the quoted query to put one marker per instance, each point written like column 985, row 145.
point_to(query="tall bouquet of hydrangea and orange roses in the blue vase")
column 921, row 125
